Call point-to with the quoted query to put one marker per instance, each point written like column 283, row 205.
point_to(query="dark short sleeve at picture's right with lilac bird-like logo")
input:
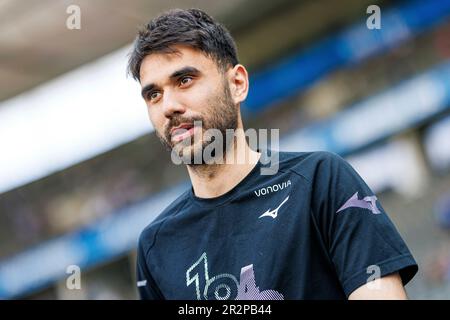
column 357, row 232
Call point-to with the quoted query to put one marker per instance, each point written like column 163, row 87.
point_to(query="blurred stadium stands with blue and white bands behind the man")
column 82, row 173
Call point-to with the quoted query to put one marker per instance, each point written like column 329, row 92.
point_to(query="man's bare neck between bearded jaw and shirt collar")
column 213, row 180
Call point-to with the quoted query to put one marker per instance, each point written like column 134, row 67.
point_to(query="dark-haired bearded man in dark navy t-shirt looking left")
column 312, row 230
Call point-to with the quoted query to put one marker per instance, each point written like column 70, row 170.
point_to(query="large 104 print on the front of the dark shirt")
column 225, row 286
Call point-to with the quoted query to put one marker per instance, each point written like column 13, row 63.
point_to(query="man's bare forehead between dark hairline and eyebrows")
column 158, row 67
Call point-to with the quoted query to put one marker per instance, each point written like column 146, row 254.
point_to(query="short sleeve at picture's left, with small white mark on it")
column 146, row 285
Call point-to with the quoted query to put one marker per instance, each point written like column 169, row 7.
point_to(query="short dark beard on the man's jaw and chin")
column 221, row 114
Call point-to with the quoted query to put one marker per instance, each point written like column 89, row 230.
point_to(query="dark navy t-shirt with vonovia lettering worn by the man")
column 314, row 230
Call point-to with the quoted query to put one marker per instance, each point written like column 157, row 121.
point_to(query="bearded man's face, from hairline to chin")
column 182, row 88
